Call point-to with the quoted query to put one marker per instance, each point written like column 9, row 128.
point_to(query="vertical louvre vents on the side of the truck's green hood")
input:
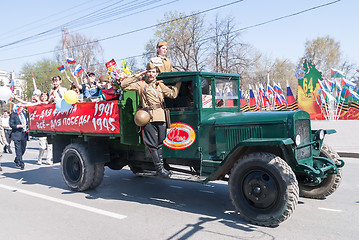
column 235, row 135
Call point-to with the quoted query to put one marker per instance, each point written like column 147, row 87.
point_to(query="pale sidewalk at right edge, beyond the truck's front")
column 345, row 140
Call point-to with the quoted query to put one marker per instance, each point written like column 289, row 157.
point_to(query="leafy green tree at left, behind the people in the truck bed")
column 43, row 71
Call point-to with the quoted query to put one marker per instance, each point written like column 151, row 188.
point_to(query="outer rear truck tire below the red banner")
column 77, row 169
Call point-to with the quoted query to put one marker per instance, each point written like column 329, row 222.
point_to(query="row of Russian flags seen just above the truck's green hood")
column 270, row 99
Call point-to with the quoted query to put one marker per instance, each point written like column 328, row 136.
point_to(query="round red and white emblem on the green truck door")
column 180, row 136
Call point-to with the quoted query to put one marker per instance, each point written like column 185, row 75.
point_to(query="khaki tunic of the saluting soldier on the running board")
column 151, row 95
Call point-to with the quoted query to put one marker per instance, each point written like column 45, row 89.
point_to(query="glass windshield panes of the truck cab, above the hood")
column 226, row 92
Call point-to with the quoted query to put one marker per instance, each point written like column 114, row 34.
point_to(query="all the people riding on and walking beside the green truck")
column 14, row 126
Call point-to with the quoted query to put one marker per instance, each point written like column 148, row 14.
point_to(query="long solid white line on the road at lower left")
column 64, row 202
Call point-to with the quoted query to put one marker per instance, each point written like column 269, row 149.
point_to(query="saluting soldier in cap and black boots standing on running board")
column 152, row 94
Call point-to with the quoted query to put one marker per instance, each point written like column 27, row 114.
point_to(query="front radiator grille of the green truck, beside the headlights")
column 302, row 127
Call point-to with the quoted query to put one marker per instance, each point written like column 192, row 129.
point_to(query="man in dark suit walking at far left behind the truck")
column 18, row 124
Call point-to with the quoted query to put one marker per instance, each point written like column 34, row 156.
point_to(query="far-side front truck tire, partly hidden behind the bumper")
column 329, row 184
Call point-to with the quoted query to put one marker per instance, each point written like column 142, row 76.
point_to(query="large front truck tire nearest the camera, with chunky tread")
column 263, row 188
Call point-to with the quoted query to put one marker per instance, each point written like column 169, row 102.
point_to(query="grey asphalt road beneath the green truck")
column 36, row 204
